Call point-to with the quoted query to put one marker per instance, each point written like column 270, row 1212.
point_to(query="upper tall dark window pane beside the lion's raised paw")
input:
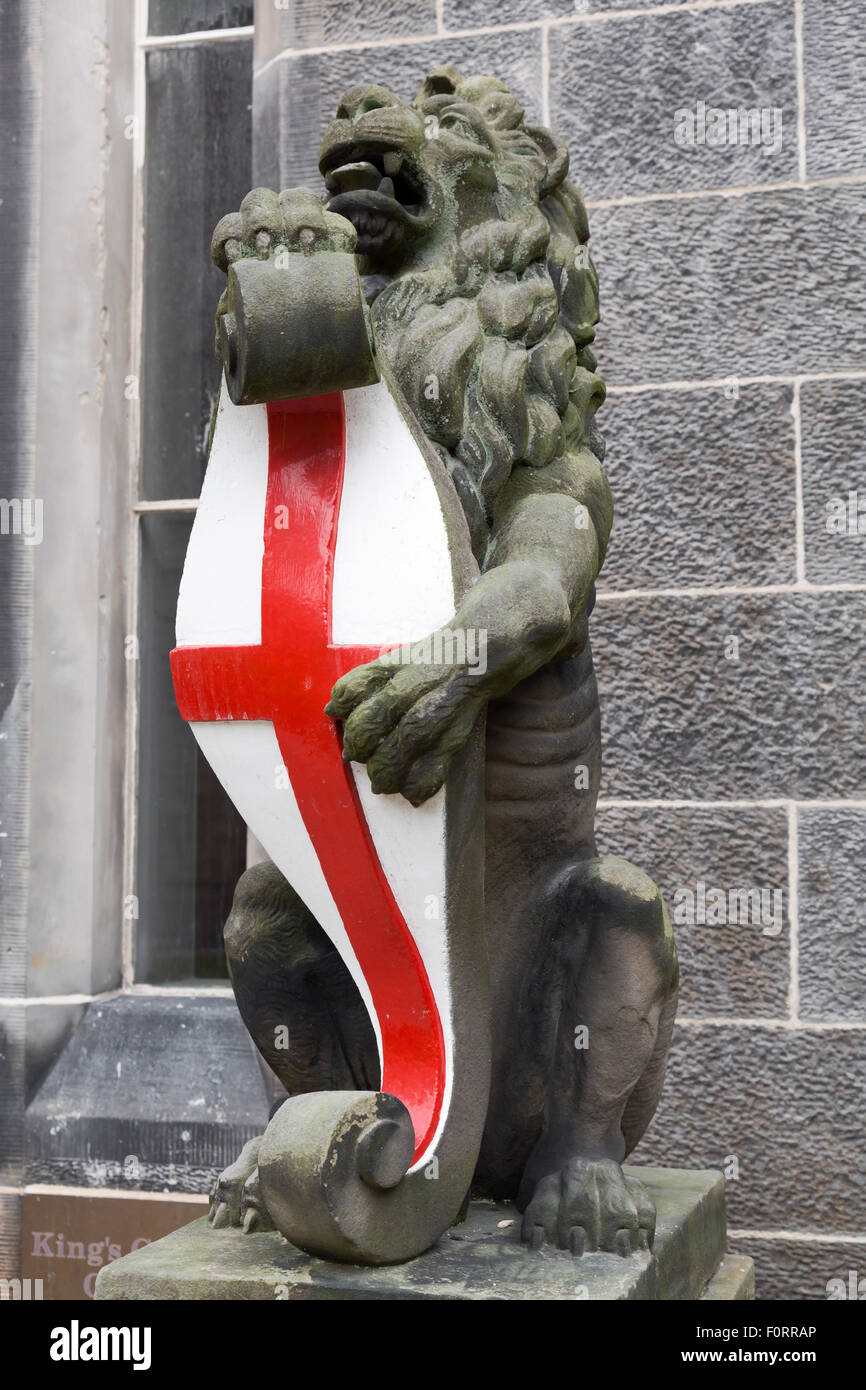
column 198, row 167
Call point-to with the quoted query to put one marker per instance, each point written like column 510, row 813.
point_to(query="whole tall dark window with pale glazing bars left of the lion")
column 191, row 844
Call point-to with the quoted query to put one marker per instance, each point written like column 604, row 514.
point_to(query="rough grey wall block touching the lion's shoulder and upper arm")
column 704, row 489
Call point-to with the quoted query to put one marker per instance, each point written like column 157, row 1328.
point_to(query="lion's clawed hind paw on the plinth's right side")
column 590, row 1204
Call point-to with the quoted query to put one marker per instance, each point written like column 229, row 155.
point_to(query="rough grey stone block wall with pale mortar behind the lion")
column 732, row 612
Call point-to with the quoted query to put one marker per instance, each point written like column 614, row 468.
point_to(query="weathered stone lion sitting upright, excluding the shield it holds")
column 473, row 254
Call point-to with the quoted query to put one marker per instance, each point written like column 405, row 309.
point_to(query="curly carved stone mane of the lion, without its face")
column 491, row 345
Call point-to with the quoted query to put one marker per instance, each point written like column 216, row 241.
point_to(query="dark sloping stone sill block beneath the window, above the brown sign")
column 151, row 1093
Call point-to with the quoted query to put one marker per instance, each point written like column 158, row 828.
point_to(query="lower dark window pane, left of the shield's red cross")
column 191, row 840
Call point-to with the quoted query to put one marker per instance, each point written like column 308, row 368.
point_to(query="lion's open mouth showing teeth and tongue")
column 380, row 195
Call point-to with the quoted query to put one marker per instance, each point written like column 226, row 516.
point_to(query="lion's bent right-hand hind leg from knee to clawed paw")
column 618, row 968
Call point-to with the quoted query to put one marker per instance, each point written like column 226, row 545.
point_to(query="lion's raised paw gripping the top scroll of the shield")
column 270, row 223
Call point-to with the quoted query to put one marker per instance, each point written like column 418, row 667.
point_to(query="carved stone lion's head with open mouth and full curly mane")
column 473, row 248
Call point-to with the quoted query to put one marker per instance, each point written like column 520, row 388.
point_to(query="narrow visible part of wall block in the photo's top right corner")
column 835, row 67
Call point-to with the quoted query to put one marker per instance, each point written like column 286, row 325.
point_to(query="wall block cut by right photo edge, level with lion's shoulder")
column 835, row 465
